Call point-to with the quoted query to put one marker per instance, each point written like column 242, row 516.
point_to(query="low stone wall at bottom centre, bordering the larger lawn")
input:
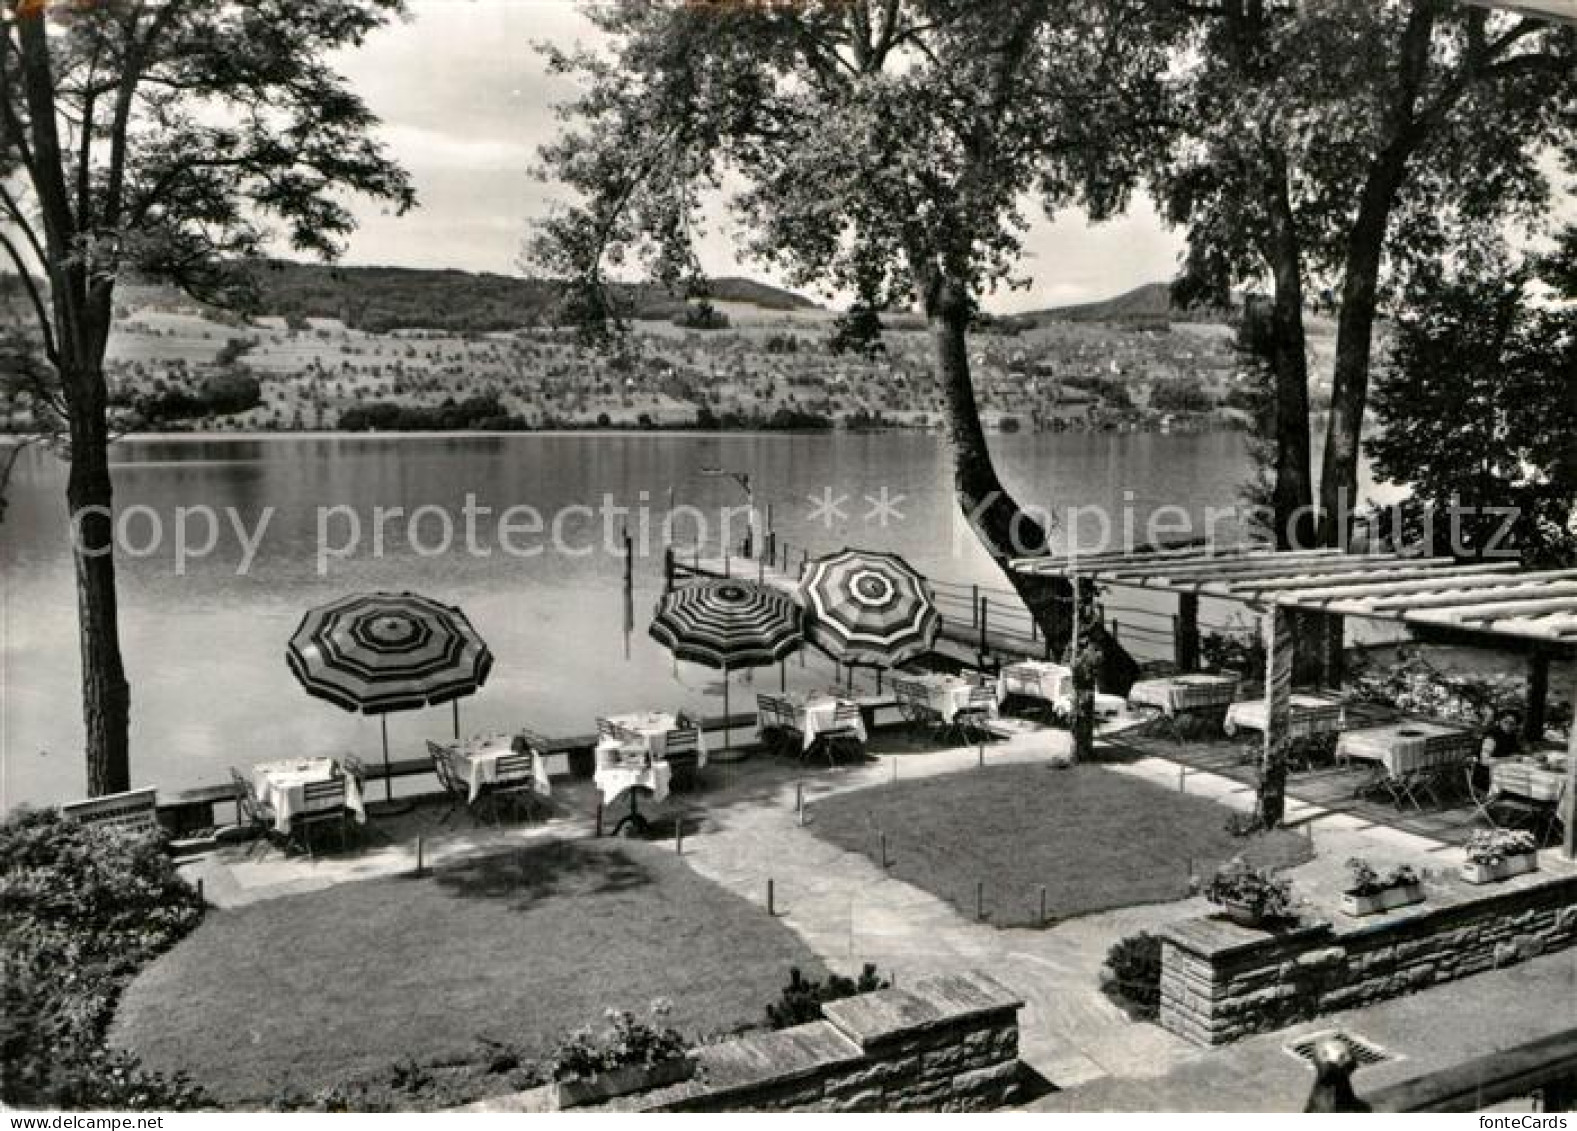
column 949, row 1043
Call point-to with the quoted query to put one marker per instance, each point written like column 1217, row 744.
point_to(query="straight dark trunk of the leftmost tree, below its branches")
column 106, row 696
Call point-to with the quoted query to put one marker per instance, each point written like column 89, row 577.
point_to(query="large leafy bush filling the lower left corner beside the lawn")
column 86, row 908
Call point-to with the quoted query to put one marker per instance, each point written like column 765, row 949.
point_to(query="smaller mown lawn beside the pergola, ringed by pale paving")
column 1095, row 838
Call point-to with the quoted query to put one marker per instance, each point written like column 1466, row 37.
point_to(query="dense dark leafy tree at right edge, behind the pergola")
column 1477, row 414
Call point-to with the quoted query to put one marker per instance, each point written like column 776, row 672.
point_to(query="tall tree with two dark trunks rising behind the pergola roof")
column 1346, row 143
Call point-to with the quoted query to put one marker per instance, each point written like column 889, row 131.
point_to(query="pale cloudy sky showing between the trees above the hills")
column 466, row 102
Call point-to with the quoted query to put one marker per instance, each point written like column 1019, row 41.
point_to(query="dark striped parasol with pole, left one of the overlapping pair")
column 728, row 624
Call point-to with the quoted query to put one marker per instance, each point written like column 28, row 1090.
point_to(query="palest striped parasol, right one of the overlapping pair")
column 868, row 608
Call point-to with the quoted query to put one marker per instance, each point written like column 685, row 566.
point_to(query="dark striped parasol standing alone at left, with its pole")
column 389, row 652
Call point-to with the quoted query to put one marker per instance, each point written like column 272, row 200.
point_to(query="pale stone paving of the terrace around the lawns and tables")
column 744, row 831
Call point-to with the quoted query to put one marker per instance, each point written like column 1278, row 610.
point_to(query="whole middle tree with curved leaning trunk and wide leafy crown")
column 885, row 149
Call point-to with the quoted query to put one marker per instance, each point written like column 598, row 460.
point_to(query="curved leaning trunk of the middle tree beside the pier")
column 1004, row 529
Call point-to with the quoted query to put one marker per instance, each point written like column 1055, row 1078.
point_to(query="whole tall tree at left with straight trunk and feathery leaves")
column 162, row 138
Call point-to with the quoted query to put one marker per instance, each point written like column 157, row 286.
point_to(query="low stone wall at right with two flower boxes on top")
column 1221, row 982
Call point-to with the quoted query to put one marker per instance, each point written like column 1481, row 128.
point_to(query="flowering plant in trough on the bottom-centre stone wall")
column 627, row 1056
